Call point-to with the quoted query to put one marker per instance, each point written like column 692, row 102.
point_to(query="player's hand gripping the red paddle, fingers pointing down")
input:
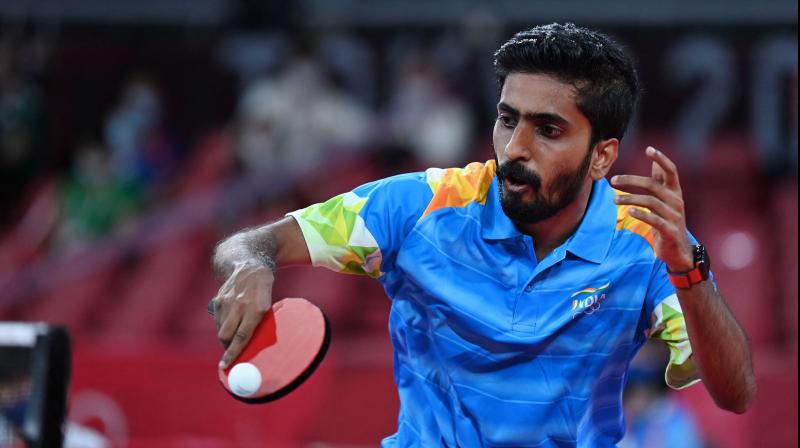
column 240, row 305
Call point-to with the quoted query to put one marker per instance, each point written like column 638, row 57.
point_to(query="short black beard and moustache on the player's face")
column 563, row 190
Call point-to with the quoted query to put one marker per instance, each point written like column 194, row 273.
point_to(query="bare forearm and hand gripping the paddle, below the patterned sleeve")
column 248, row 261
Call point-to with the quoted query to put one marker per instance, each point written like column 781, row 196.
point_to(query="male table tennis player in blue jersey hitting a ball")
column 521, row 287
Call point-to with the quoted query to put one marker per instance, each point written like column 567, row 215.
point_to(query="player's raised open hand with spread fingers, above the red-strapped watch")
column 666, row 209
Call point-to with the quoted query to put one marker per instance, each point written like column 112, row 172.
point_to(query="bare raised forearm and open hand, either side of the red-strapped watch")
column 720, row 349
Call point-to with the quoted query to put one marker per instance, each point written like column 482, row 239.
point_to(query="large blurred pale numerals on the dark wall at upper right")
column 708, row 65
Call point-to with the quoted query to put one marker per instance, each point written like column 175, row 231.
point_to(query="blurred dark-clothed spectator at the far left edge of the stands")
column 21, row 126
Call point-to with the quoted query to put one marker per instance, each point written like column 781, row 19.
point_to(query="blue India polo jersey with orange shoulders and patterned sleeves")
column 492, row 347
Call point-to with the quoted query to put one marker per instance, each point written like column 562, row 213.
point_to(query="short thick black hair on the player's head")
column 601, row 71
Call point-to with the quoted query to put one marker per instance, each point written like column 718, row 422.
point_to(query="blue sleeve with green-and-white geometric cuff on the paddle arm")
column 360, row 232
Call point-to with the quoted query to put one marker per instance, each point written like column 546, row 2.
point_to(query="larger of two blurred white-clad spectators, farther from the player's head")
column 291, row 121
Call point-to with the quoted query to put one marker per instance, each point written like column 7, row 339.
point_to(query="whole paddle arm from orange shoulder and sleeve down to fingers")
column 340, row 234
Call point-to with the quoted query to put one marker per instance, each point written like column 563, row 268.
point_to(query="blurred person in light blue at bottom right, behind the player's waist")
column 653, row 417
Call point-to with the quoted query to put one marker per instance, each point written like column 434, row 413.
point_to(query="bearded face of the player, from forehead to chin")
column 541, row 143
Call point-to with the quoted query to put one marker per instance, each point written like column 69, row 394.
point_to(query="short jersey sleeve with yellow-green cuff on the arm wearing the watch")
column 667, row 323
